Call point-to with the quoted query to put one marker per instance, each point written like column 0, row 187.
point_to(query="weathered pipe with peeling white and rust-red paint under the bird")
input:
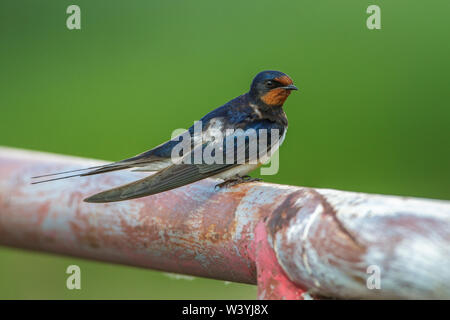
column 293, row 242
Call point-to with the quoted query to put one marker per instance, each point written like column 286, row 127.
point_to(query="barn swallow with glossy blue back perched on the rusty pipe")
column 260, row 108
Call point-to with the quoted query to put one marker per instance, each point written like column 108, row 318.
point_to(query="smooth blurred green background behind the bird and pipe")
column 372, row 114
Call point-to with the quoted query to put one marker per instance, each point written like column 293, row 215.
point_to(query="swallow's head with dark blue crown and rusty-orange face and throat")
column 271, row 87
